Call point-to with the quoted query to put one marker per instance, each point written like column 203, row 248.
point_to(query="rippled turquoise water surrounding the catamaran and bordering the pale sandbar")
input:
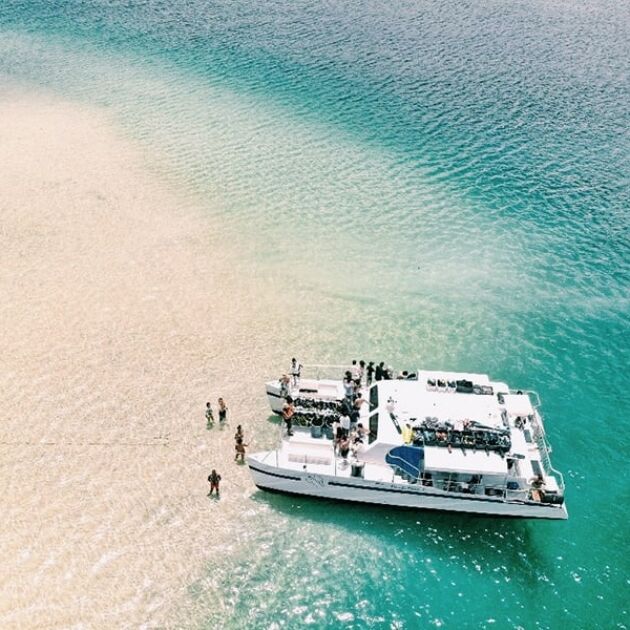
column 436, row 185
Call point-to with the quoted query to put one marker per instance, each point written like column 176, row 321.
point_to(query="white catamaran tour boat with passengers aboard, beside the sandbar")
column 432, row 440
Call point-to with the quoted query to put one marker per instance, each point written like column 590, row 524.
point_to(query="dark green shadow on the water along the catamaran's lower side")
column 513, row 543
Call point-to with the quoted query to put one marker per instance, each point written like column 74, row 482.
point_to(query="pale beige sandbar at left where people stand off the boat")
column 120, row 315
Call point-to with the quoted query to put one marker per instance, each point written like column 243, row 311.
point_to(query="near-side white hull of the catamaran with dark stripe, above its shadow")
column 305, row 483
